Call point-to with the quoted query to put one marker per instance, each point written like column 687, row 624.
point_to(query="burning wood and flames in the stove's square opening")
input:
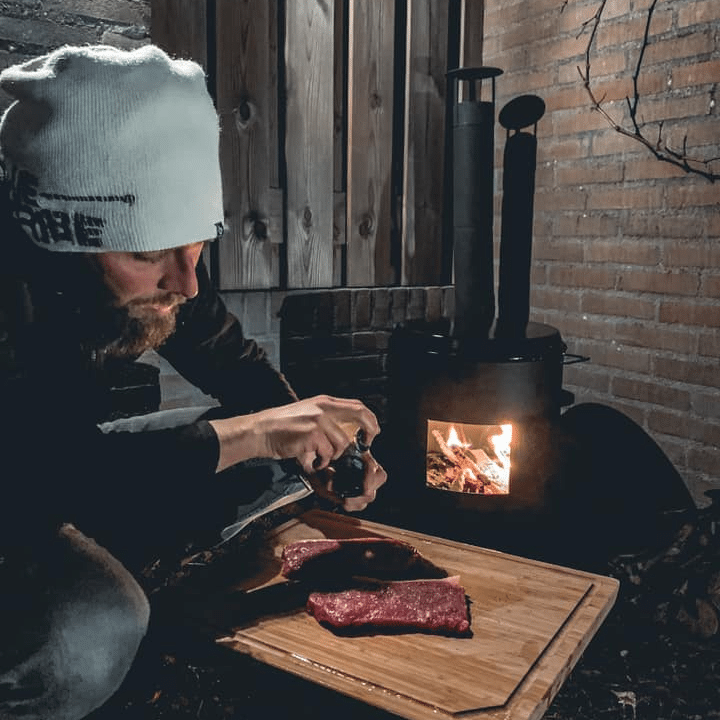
column 480, row 466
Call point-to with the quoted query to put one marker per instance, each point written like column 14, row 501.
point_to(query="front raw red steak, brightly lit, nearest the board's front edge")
column 433, row 606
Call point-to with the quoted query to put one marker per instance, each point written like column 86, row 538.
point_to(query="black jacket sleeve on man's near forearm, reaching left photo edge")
column 59, row 467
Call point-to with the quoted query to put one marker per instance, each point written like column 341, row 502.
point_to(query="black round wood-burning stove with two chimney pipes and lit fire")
column 473, row 435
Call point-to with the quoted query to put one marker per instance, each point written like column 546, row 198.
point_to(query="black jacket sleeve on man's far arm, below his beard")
column 210, row 350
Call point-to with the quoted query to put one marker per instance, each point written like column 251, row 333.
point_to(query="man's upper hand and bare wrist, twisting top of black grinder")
column 314, row 431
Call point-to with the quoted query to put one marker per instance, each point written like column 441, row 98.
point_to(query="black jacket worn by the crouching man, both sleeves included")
column 57, row 465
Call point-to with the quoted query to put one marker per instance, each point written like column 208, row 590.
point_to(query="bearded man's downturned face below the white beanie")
column 147, row 289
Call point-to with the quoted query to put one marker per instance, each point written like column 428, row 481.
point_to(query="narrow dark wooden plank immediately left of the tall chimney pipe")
column 424, row 144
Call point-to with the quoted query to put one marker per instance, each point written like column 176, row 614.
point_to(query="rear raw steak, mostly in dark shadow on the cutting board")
column 328, row 560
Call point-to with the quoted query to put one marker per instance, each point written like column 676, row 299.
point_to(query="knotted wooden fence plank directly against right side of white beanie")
column 248, row 255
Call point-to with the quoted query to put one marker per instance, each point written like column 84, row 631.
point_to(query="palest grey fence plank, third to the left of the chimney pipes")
column 309, row 142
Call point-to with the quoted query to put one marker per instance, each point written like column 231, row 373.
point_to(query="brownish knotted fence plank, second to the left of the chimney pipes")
column 370, row 108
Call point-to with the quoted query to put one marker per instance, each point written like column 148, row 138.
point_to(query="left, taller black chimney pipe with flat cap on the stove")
column 473, row 164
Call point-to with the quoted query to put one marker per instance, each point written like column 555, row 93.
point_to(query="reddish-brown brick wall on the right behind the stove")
column 626, row 248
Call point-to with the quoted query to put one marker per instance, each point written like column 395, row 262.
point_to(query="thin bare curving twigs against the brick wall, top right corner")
column 660, row 149
